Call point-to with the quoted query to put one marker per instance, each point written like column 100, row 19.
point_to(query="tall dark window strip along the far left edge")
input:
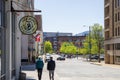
column 2, row 41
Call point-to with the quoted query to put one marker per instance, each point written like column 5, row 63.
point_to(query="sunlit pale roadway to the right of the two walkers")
column 73, row 69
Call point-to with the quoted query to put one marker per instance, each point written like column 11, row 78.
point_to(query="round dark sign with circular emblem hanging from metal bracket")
column 28, row 25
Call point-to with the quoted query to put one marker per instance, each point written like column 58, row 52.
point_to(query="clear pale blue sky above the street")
column 71, row 16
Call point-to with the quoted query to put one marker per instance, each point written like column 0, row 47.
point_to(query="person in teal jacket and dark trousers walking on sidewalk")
column 39, row 67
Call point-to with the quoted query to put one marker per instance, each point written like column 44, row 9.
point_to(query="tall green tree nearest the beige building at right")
column 93, row 43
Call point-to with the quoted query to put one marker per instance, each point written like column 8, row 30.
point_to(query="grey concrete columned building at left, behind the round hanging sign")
column 11, row 37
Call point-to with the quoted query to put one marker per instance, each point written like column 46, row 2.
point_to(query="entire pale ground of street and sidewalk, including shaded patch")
column 75, row 69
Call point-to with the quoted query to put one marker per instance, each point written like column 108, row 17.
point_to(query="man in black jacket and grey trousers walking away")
column 51, row 68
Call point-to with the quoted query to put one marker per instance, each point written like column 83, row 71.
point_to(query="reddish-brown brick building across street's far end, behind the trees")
column 57, row 41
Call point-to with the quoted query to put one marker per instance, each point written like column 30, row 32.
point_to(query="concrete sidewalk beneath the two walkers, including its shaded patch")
column 31, row 72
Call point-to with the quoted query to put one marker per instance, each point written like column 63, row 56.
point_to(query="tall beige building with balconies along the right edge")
column 112, row 31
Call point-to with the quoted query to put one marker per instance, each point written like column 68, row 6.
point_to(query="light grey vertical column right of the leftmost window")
column 8, row 41
